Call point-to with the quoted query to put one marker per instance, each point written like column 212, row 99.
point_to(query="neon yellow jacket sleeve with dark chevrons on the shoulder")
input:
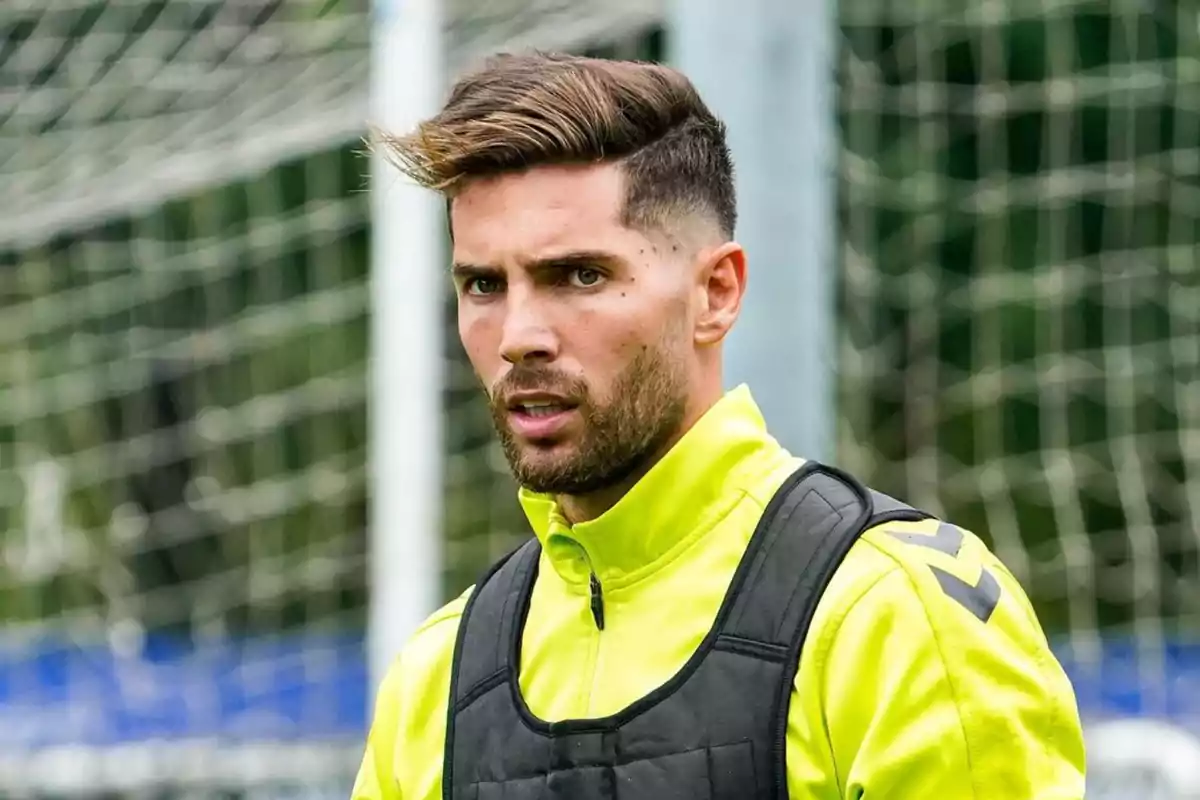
column 939, row 683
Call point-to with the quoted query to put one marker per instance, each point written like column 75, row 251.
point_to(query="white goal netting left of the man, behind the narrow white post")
column 184, row 293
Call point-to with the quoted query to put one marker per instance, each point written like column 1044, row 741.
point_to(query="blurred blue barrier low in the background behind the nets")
column 58, row 693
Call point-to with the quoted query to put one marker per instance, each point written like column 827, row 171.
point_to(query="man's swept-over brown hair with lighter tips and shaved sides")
column 530, row 110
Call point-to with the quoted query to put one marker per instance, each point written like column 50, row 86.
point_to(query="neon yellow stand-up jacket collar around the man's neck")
column 680, row 500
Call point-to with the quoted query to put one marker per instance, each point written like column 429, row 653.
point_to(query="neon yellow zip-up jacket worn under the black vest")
column 902, row 691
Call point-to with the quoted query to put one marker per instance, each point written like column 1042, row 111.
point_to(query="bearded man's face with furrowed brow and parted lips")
column 579, row 327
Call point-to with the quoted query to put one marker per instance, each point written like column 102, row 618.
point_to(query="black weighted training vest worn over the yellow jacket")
column 717, row 730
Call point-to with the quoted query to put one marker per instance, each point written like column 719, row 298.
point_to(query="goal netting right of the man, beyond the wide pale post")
column 1021, row 304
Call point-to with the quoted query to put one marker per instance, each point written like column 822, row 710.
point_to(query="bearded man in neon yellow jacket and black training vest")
column 700, row 615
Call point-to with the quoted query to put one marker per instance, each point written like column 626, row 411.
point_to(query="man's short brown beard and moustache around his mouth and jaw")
column 647, row 408
